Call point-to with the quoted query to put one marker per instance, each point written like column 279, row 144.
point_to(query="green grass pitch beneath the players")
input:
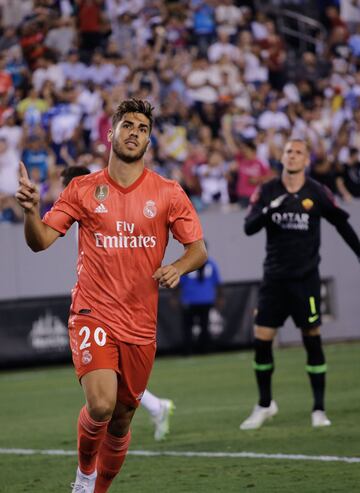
column 213, row 394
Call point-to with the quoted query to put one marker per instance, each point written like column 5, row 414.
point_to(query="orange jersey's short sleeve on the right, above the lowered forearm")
column 183, row 220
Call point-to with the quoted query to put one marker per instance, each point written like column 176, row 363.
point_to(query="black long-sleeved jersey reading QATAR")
column 293, row 227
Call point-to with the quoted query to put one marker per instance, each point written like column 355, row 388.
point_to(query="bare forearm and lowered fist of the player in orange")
column 194, row 257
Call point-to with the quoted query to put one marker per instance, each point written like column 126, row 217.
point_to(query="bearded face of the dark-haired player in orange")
column 131, row 137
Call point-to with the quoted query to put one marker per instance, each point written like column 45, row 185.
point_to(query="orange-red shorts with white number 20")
column 93, row 348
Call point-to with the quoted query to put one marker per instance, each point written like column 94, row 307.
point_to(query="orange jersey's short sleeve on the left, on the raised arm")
column 66, row 210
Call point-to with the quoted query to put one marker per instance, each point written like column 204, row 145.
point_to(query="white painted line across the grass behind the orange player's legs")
column 229, row 455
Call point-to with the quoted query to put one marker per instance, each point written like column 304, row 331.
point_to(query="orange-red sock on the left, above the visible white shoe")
column 90, row 436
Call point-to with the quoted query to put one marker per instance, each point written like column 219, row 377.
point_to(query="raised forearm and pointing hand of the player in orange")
column 38, row 235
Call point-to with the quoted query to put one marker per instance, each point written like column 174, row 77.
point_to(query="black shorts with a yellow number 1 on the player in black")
column 296, row 298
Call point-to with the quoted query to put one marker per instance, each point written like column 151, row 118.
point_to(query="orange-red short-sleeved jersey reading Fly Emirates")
column 123, row 233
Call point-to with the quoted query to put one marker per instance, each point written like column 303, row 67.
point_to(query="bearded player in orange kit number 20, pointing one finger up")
column 125, row 213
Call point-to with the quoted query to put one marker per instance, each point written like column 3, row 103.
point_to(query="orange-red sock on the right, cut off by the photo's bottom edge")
column 110, row 458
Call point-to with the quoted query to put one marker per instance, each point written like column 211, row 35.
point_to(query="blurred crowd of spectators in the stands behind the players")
column 216, row 73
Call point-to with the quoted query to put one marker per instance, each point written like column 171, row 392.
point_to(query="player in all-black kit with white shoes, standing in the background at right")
column 290, row 208
